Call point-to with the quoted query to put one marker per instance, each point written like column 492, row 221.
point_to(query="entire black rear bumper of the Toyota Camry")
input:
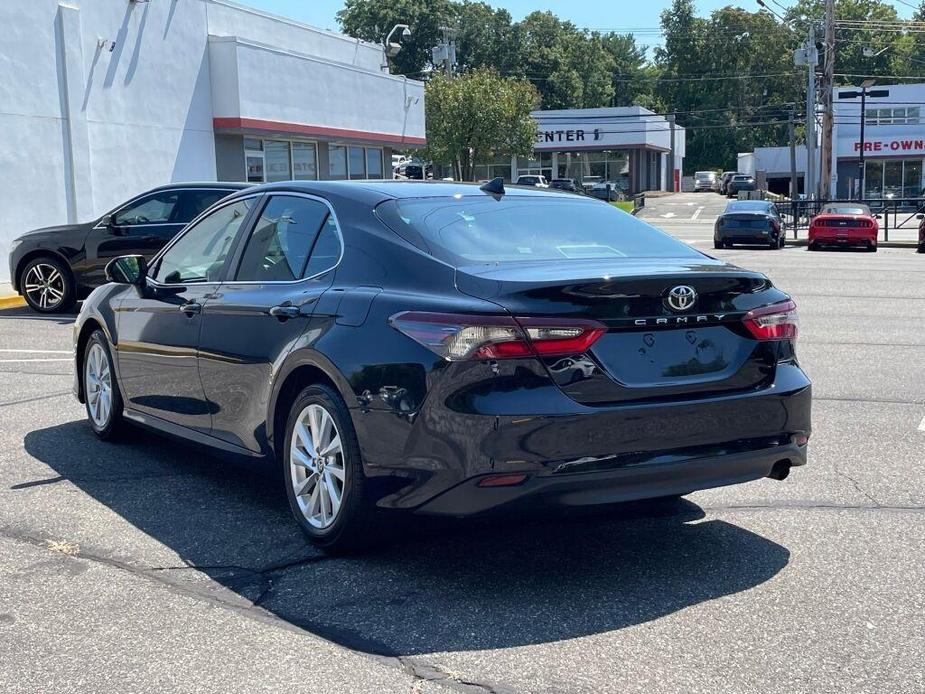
column 576, row 455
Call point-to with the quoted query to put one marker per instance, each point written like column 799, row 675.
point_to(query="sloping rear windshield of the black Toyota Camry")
column 480, row 229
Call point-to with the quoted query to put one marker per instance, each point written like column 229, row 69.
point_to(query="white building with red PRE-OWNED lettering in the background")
column 894, row 147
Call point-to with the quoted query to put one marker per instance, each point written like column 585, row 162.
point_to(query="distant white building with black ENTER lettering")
column 631, row 146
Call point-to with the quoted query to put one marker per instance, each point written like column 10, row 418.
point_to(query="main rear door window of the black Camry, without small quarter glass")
column 279, row 246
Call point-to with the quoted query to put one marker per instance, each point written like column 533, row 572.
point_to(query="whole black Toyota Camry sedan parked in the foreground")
column 448, row 349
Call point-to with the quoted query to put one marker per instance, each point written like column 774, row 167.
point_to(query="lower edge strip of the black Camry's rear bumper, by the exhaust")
column 623, row 483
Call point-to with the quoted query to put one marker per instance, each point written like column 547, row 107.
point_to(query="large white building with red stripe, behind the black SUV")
column 103, row 99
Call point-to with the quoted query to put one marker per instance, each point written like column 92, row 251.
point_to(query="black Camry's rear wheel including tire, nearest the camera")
column 323, row 472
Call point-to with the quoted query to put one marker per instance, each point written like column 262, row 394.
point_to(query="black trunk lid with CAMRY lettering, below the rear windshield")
column 654, row 347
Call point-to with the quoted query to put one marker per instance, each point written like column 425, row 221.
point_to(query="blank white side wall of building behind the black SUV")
column 82, row 127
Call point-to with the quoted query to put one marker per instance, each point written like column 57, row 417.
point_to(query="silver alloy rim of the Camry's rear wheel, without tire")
column 316, row 466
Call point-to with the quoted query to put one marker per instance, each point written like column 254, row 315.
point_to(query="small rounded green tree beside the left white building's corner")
column 477, row 116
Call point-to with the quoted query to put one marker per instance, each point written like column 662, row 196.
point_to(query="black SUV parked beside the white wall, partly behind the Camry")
column 55, row 266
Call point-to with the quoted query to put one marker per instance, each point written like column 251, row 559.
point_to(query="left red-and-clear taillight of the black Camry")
column 458, row 337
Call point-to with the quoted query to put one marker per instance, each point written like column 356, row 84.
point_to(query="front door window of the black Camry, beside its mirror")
column 199, row 255
